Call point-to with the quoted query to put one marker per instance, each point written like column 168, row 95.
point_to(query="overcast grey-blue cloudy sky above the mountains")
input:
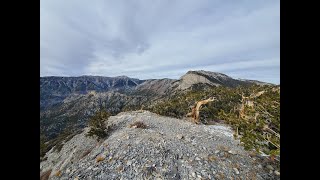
column 160, row 38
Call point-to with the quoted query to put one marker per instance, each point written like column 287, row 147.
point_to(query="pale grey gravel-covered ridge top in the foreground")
column 168, row 148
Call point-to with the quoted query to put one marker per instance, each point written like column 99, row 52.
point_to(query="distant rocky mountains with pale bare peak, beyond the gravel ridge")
column 69, row 101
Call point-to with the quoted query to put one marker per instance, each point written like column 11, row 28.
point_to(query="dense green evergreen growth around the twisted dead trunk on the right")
column 259, row 129
